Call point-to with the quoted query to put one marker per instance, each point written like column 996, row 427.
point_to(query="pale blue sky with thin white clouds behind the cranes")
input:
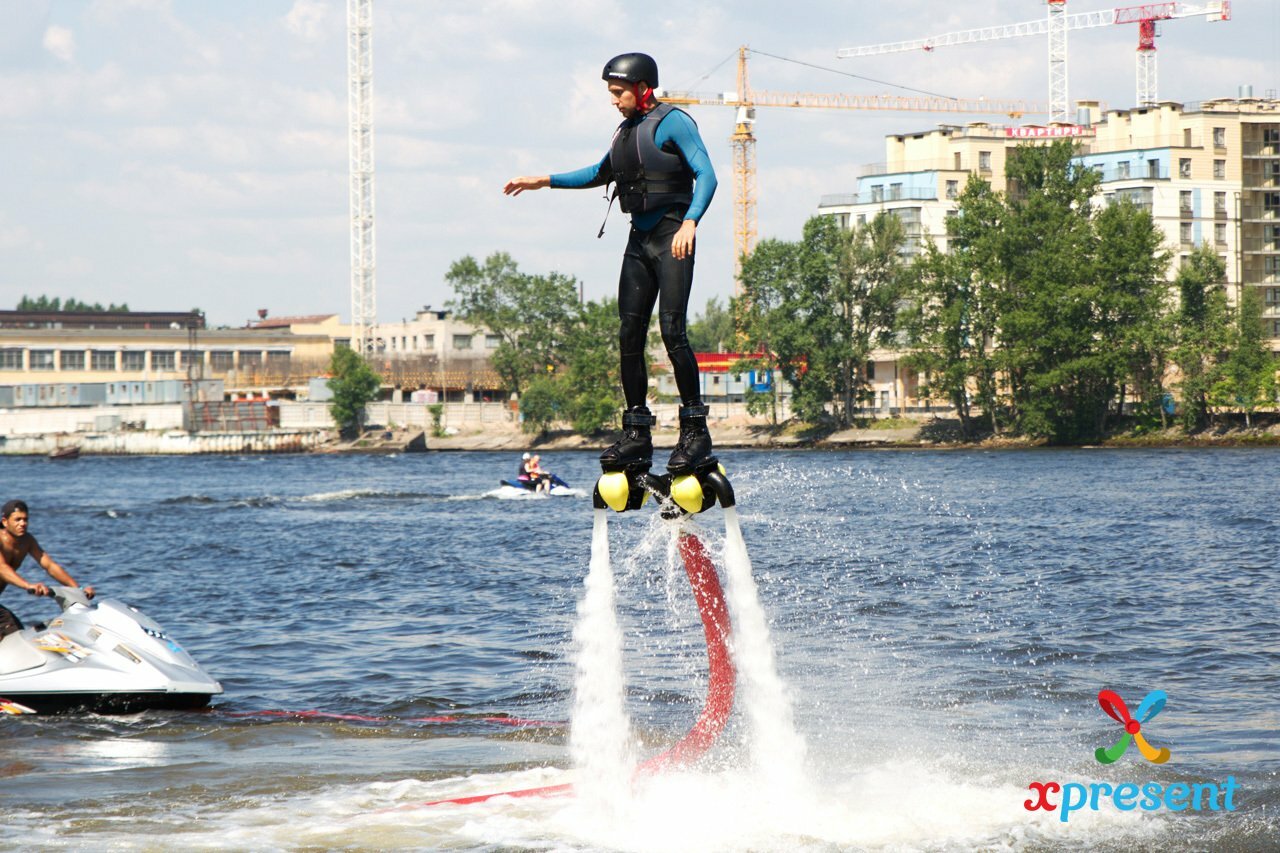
column 180, row 154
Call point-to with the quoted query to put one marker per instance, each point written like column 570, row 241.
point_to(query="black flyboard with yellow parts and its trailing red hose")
column 678, row 498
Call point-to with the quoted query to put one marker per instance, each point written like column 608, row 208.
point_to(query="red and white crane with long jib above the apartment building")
column 1057, row 26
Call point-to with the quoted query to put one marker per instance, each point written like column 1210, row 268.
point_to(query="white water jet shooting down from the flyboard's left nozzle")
column 600, row 729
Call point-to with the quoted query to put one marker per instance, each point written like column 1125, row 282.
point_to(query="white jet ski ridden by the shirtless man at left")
column 102, row 656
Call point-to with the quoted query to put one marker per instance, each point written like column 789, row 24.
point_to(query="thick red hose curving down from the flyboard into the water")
column 720, row 687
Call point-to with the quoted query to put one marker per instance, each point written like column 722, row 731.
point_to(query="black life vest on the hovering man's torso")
column 648, row 177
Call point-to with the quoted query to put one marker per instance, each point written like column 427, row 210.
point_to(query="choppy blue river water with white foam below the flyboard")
column 941, row 624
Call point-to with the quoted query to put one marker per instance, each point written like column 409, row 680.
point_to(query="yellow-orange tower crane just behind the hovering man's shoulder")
column 746, row 101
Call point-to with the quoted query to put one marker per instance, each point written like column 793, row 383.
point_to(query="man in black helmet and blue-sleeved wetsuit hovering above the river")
column 665, row 181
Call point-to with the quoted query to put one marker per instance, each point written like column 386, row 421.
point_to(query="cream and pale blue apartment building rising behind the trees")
column 1209, row 174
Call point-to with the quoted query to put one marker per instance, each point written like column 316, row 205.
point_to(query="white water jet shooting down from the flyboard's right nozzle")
column 778, row 749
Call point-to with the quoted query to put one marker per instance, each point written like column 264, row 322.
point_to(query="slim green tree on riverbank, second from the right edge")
column 1203, row 334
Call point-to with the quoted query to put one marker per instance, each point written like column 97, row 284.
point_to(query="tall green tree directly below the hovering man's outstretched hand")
column 529, row 313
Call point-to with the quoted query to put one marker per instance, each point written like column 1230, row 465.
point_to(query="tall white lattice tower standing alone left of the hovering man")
column 360, row 136
